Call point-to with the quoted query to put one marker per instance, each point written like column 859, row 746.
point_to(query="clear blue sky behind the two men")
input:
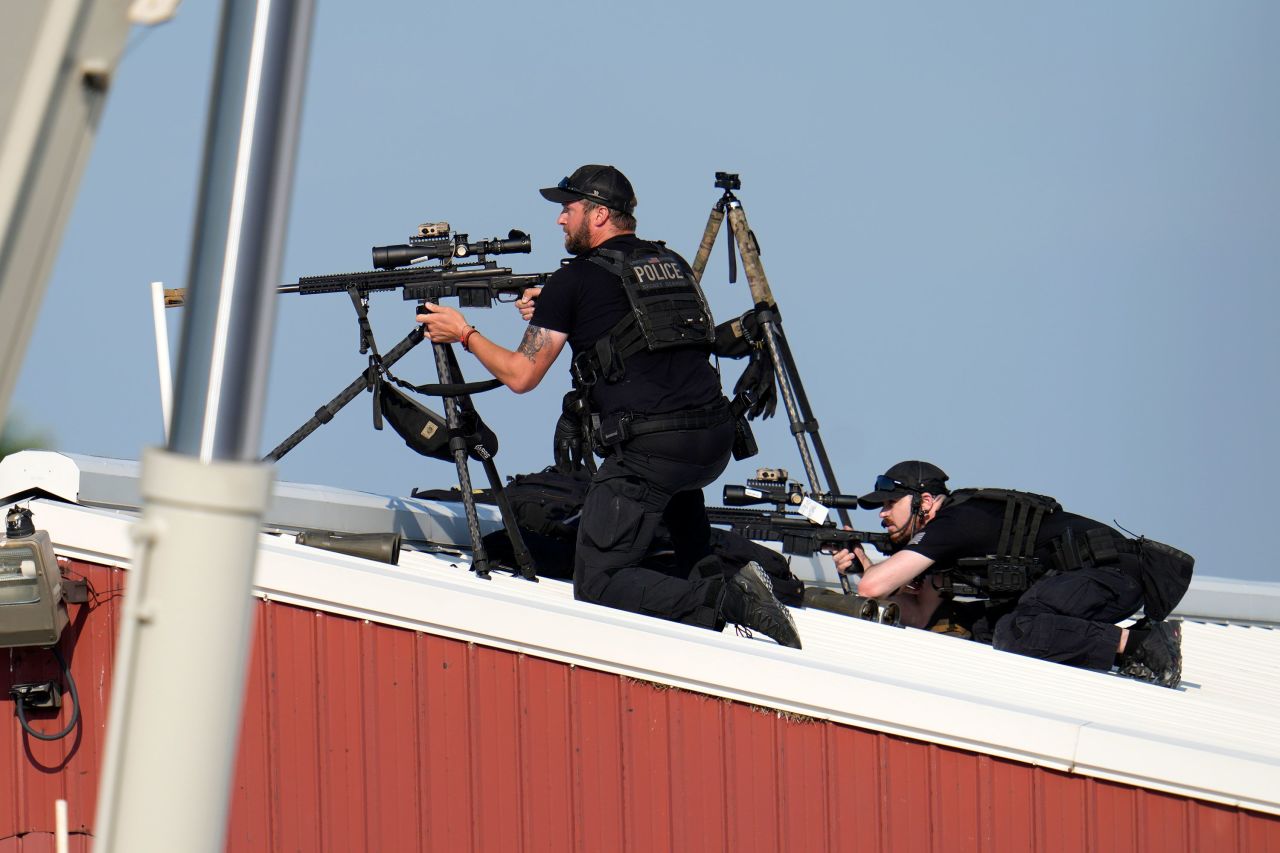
column 1034, row 244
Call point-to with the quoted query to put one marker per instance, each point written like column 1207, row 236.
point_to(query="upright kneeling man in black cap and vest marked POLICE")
column 641, row 334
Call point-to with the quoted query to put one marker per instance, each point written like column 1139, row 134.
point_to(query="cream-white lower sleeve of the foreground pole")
column 182, row 658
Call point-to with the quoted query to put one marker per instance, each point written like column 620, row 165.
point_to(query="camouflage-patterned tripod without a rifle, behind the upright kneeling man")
column 804, row 426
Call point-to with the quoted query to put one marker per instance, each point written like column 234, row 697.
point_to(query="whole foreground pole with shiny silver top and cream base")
column 180, row 681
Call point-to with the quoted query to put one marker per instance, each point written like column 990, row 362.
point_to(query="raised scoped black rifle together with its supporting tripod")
column 461, row 272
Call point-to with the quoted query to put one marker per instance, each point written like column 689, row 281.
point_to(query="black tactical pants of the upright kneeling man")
column 646, row 481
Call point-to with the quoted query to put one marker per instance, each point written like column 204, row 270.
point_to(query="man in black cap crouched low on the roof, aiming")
column 1057, row 583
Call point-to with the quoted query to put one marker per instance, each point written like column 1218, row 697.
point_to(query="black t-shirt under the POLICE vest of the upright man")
column 586, row 302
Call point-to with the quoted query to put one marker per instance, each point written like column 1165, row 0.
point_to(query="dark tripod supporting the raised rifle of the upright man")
column 456, row 395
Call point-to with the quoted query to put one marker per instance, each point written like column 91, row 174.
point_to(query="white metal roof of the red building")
column 851, row 673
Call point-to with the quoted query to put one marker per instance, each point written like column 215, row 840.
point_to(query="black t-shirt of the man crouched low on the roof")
column 972, row 530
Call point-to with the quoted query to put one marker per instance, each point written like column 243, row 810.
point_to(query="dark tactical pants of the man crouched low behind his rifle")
column 1072, row 618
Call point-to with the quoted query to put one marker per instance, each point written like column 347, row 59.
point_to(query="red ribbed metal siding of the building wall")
column 362, row 737
